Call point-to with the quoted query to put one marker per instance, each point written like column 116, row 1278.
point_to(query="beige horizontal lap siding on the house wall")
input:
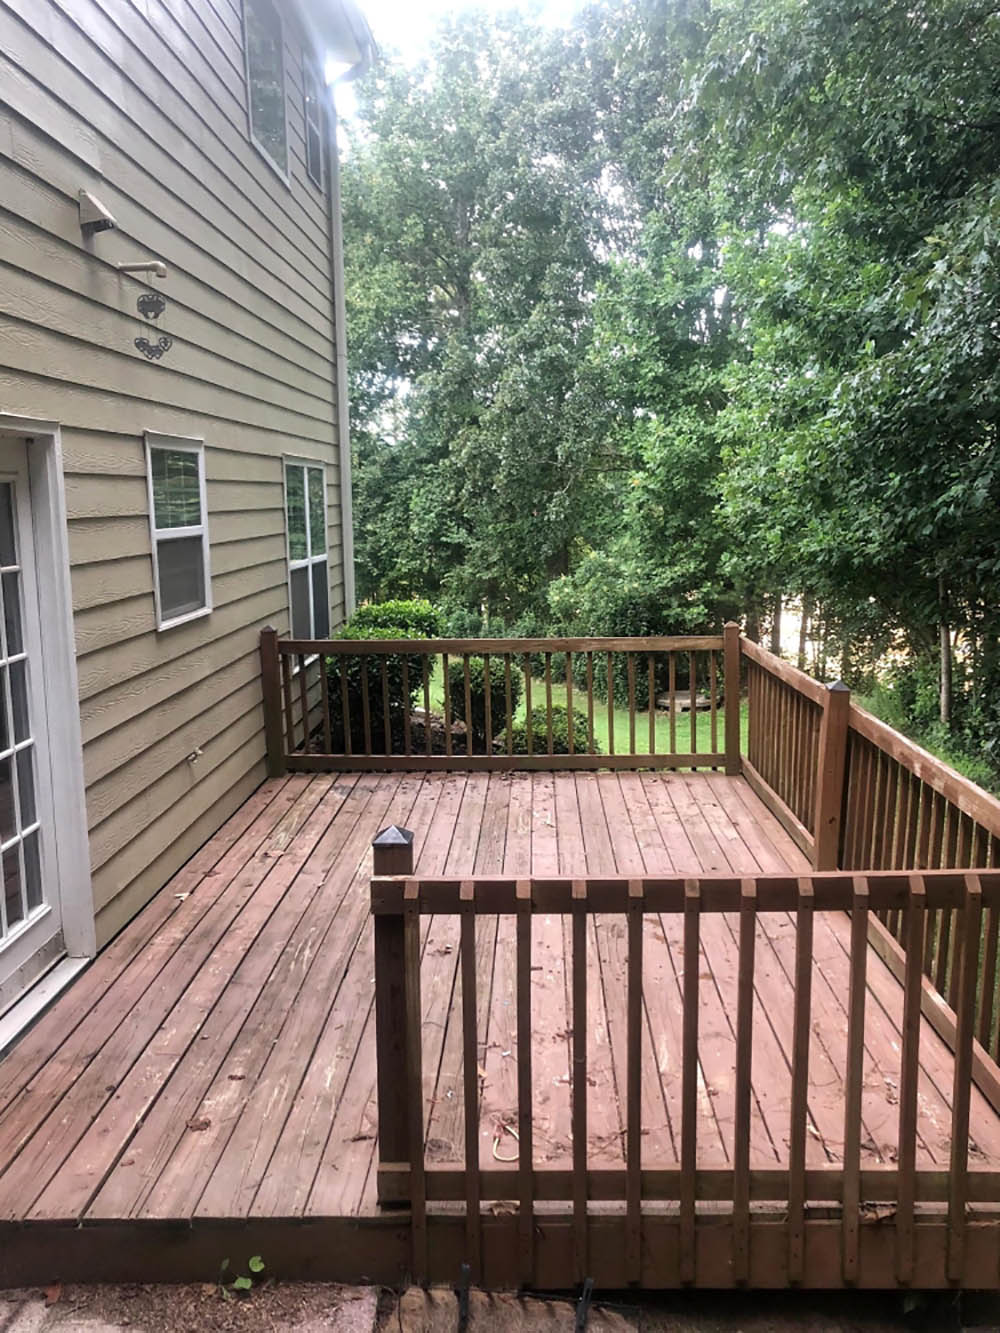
column 146, row 109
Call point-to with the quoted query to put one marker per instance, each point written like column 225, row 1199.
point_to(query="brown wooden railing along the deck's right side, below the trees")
column 858, row 796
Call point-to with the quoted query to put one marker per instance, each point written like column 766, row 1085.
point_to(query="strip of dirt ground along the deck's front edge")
column 325, row 1308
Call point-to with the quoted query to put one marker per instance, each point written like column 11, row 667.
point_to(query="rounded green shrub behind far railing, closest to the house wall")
column 415, row 619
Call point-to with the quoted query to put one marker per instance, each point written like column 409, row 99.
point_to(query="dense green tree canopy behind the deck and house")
column 686, row 310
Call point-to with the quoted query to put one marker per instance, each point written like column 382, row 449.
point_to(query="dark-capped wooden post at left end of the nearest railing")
column 393, row 855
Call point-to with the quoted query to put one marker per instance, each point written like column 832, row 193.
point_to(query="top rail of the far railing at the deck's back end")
column 381, row 647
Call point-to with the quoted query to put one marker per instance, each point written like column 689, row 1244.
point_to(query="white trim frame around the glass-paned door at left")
column 49, row 517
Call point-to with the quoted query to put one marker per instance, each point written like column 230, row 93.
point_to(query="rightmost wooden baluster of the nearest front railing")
column 970, row 930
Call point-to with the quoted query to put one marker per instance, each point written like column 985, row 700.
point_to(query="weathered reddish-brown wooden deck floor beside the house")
column 207, row 1088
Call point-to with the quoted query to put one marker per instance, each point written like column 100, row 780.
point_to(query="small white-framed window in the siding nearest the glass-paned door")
column 182, row 582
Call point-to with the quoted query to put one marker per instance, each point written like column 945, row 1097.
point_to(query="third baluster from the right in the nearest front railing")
column 855, row 1079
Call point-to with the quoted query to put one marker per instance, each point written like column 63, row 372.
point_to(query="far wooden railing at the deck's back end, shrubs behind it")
column 463, row 703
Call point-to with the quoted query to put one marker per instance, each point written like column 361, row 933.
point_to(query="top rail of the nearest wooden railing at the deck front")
column 830, row 891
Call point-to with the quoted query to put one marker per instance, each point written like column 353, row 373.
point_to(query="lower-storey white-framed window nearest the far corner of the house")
column 309, row 579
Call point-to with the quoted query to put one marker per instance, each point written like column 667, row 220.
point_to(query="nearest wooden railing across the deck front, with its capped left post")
column 407, row 1178
